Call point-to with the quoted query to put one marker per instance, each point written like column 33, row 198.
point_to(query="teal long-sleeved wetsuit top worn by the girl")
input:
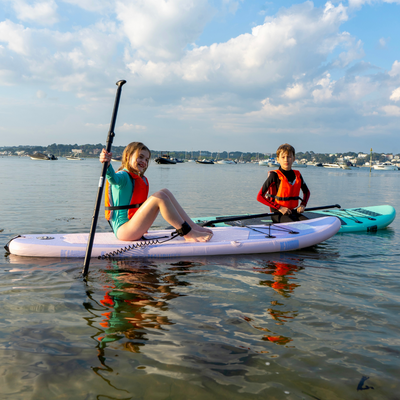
column 120, row 184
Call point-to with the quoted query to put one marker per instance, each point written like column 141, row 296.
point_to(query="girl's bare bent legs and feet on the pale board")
column 147, row 213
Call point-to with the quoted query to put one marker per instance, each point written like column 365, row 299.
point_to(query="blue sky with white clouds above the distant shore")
column 234, row 75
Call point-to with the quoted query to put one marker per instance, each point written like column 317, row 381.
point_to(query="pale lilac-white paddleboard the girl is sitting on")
column 226, row 241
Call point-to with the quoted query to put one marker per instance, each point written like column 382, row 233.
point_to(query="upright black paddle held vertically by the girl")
column 110, row 138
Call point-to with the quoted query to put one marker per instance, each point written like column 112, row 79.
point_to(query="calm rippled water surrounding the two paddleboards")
column 311, row 324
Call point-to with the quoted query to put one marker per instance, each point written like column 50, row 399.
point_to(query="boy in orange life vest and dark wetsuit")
column 282, row 188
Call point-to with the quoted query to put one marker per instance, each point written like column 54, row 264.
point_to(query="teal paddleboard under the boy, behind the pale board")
column 360, row 219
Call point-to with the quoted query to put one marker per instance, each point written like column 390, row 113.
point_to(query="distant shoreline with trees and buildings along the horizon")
column 93, row 150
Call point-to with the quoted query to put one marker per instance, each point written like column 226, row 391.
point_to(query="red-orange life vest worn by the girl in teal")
column 139, row 196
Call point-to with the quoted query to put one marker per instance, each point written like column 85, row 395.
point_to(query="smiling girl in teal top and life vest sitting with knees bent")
column 128, row 209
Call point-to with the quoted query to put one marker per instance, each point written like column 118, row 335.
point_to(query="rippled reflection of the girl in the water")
column 135, row 301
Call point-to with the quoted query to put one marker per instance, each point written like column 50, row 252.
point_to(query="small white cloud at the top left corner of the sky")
column 42, row 12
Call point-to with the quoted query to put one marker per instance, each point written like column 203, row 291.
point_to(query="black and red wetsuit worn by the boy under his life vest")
column 271, row 186
